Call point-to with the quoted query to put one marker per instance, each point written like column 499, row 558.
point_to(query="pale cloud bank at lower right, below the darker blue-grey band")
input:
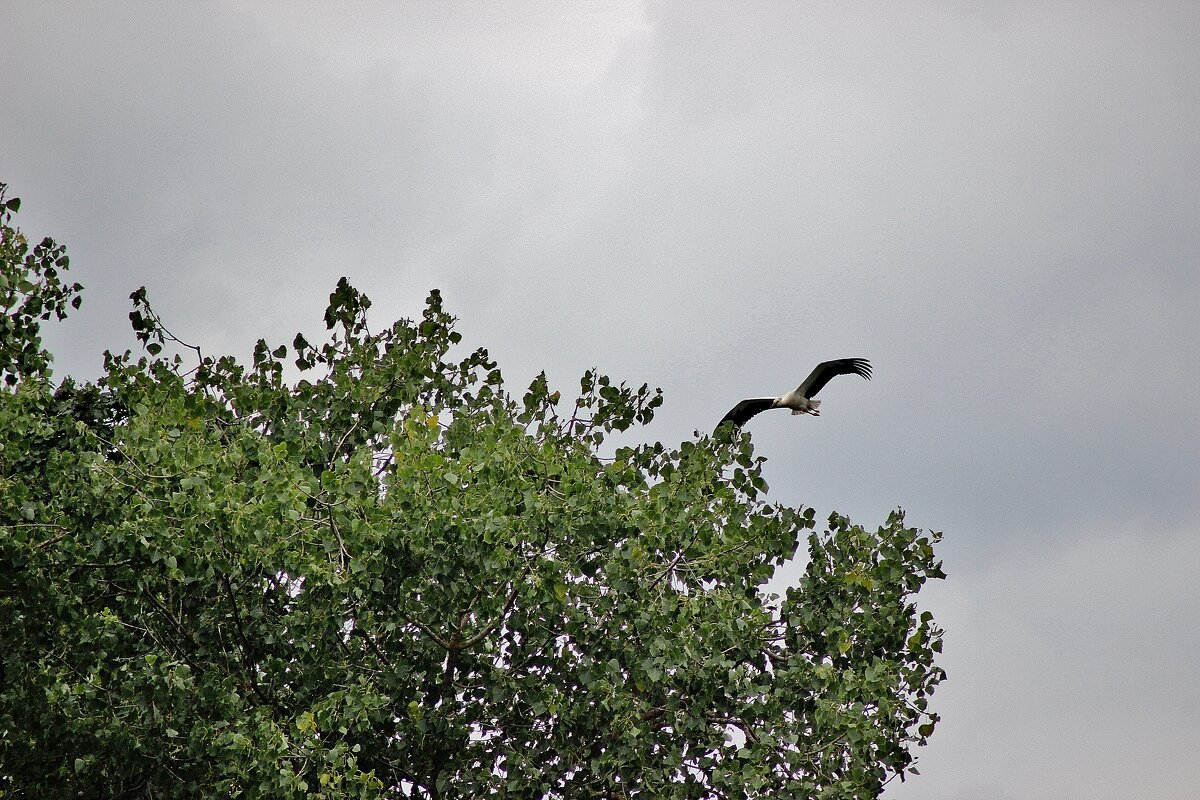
column 1064, row 666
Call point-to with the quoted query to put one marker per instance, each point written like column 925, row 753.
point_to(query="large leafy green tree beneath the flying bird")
column 389, row 578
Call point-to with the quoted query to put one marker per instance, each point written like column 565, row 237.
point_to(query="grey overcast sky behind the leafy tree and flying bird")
column 997, row 203
